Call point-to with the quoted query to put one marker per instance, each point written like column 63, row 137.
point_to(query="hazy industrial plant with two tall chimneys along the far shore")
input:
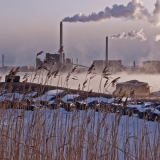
column 66, row 64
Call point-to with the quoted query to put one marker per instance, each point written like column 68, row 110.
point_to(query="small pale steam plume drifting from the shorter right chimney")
column 132, row 35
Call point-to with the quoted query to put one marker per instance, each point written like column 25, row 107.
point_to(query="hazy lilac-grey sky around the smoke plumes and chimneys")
column 27, row 27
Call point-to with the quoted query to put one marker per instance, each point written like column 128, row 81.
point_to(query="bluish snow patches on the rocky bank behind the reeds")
column 50, row 96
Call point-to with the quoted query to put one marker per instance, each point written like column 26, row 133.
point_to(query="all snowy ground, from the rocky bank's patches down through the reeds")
column 99, row 133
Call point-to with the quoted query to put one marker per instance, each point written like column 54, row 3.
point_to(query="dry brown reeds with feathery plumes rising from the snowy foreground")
column 56, row 134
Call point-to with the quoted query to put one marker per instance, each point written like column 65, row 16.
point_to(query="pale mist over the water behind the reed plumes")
column 152, row 80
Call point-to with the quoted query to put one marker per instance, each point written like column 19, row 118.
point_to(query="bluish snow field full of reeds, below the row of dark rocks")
column 99, row 135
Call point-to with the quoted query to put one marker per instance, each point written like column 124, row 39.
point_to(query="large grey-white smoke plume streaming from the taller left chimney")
column 134, row 10
